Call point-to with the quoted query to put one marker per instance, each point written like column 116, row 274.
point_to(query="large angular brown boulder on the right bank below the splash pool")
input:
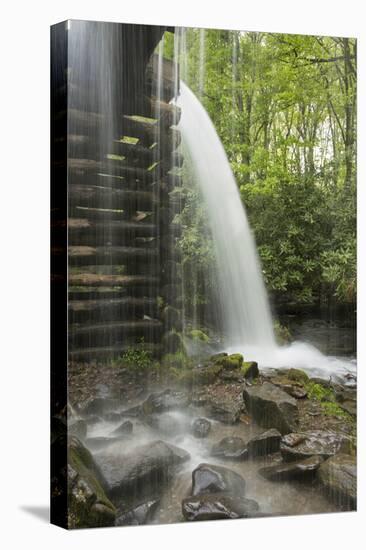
column 271, row 407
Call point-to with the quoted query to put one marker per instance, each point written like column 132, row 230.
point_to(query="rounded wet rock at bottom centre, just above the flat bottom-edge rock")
column 207, row 478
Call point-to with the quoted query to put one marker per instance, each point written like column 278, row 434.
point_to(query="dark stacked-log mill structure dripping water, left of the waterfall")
column 115, row 175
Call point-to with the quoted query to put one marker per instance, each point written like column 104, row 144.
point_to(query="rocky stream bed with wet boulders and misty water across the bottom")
column 225, row 440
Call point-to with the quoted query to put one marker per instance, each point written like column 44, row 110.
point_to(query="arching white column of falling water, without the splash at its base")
column 247, row 317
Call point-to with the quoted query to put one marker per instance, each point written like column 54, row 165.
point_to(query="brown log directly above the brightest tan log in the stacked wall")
column 90, row 255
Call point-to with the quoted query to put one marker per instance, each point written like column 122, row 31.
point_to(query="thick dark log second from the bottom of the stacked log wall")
column 112, row 333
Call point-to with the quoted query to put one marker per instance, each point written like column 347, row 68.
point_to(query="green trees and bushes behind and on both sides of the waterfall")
column 285, row 109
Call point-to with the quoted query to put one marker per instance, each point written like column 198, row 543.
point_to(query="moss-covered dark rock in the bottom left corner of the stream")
column 89, row 505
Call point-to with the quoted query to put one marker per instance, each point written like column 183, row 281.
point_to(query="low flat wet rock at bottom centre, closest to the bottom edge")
column 218, row 506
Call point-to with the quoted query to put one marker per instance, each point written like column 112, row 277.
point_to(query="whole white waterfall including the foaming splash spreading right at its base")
column 247, row 319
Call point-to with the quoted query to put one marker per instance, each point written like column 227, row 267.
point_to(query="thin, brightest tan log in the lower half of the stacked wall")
column 93, row 279
